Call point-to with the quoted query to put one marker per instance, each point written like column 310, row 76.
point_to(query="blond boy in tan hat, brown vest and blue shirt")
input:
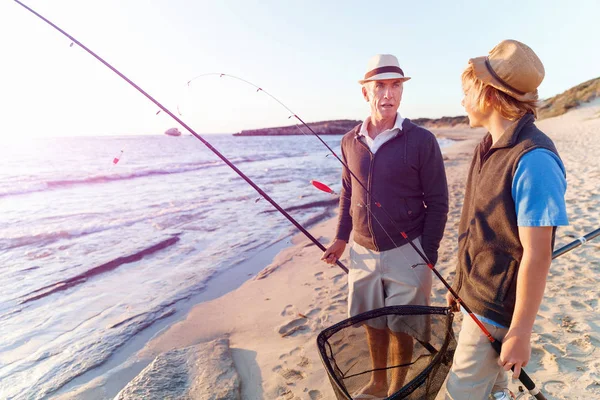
column 514, row 200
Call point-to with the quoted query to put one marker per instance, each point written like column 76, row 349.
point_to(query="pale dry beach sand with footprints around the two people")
column 272, row 320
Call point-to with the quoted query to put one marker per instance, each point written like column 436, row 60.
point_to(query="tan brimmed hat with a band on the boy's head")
column 513, row 68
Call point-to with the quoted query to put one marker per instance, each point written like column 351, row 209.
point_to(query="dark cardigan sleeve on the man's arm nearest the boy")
column 435, row 192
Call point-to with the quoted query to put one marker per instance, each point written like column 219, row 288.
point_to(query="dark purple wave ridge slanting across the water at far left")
column 103, row 268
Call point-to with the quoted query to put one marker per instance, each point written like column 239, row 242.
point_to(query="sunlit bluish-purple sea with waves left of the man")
column 92, row 252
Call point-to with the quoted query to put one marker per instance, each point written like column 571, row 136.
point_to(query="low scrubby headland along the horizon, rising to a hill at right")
column 552, row 107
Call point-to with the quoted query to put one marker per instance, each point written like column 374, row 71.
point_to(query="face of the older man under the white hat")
column 384, row 97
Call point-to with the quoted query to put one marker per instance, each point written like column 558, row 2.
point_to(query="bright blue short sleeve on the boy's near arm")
column 538, row 190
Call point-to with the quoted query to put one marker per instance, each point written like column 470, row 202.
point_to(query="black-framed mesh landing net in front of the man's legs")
column 414, row 363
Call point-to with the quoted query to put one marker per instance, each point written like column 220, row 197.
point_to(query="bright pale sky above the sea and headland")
column 308, row 54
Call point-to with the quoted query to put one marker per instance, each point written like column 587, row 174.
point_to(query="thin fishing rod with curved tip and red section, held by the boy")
column 496, row 344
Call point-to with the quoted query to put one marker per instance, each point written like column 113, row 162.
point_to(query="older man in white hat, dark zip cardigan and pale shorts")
column 401, row 165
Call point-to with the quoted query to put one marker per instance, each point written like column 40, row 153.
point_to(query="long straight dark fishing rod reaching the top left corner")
column 189, row 129
